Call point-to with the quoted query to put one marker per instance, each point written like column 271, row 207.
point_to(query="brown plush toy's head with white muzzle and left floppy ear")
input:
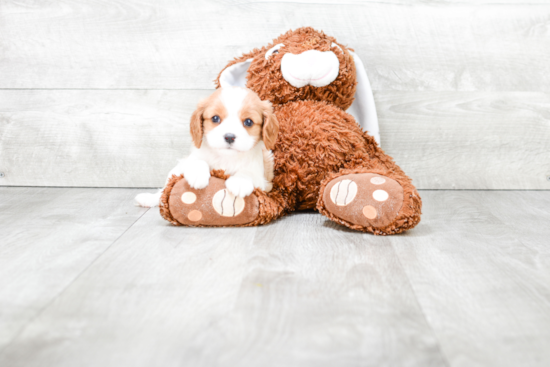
column 303, row 64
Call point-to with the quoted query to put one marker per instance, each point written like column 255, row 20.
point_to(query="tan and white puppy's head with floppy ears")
column 234, row 119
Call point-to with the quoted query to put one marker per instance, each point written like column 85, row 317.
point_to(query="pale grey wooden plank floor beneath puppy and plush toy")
column 87, row 279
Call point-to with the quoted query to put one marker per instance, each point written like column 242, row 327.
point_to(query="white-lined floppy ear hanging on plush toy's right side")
column 363, row 108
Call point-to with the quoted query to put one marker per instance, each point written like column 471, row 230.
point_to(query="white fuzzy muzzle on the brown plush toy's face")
column 311, row 67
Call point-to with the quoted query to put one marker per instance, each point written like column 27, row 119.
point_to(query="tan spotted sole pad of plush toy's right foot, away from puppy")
column 364, row 199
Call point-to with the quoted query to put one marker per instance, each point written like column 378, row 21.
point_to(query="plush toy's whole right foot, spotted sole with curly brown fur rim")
column 375, row 200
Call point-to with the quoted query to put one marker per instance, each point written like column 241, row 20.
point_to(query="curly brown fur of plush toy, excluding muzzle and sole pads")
column 318, row 141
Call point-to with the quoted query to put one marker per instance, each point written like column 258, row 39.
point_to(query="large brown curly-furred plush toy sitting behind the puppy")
column 323, row 159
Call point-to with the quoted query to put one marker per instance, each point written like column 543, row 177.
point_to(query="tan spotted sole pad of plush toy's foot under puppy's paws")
column 212, row 206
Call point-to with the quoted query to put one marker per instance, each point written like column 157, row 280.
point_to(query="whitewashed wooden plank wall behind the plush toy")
column 98, row 93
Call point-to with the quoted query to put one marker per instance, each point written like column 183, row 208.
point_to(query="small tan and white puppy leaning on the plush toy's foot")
column 231, row 130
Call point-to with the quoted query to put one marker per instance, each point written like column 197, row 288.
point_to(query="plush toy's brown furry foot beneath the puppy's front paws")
column 215, row 206
